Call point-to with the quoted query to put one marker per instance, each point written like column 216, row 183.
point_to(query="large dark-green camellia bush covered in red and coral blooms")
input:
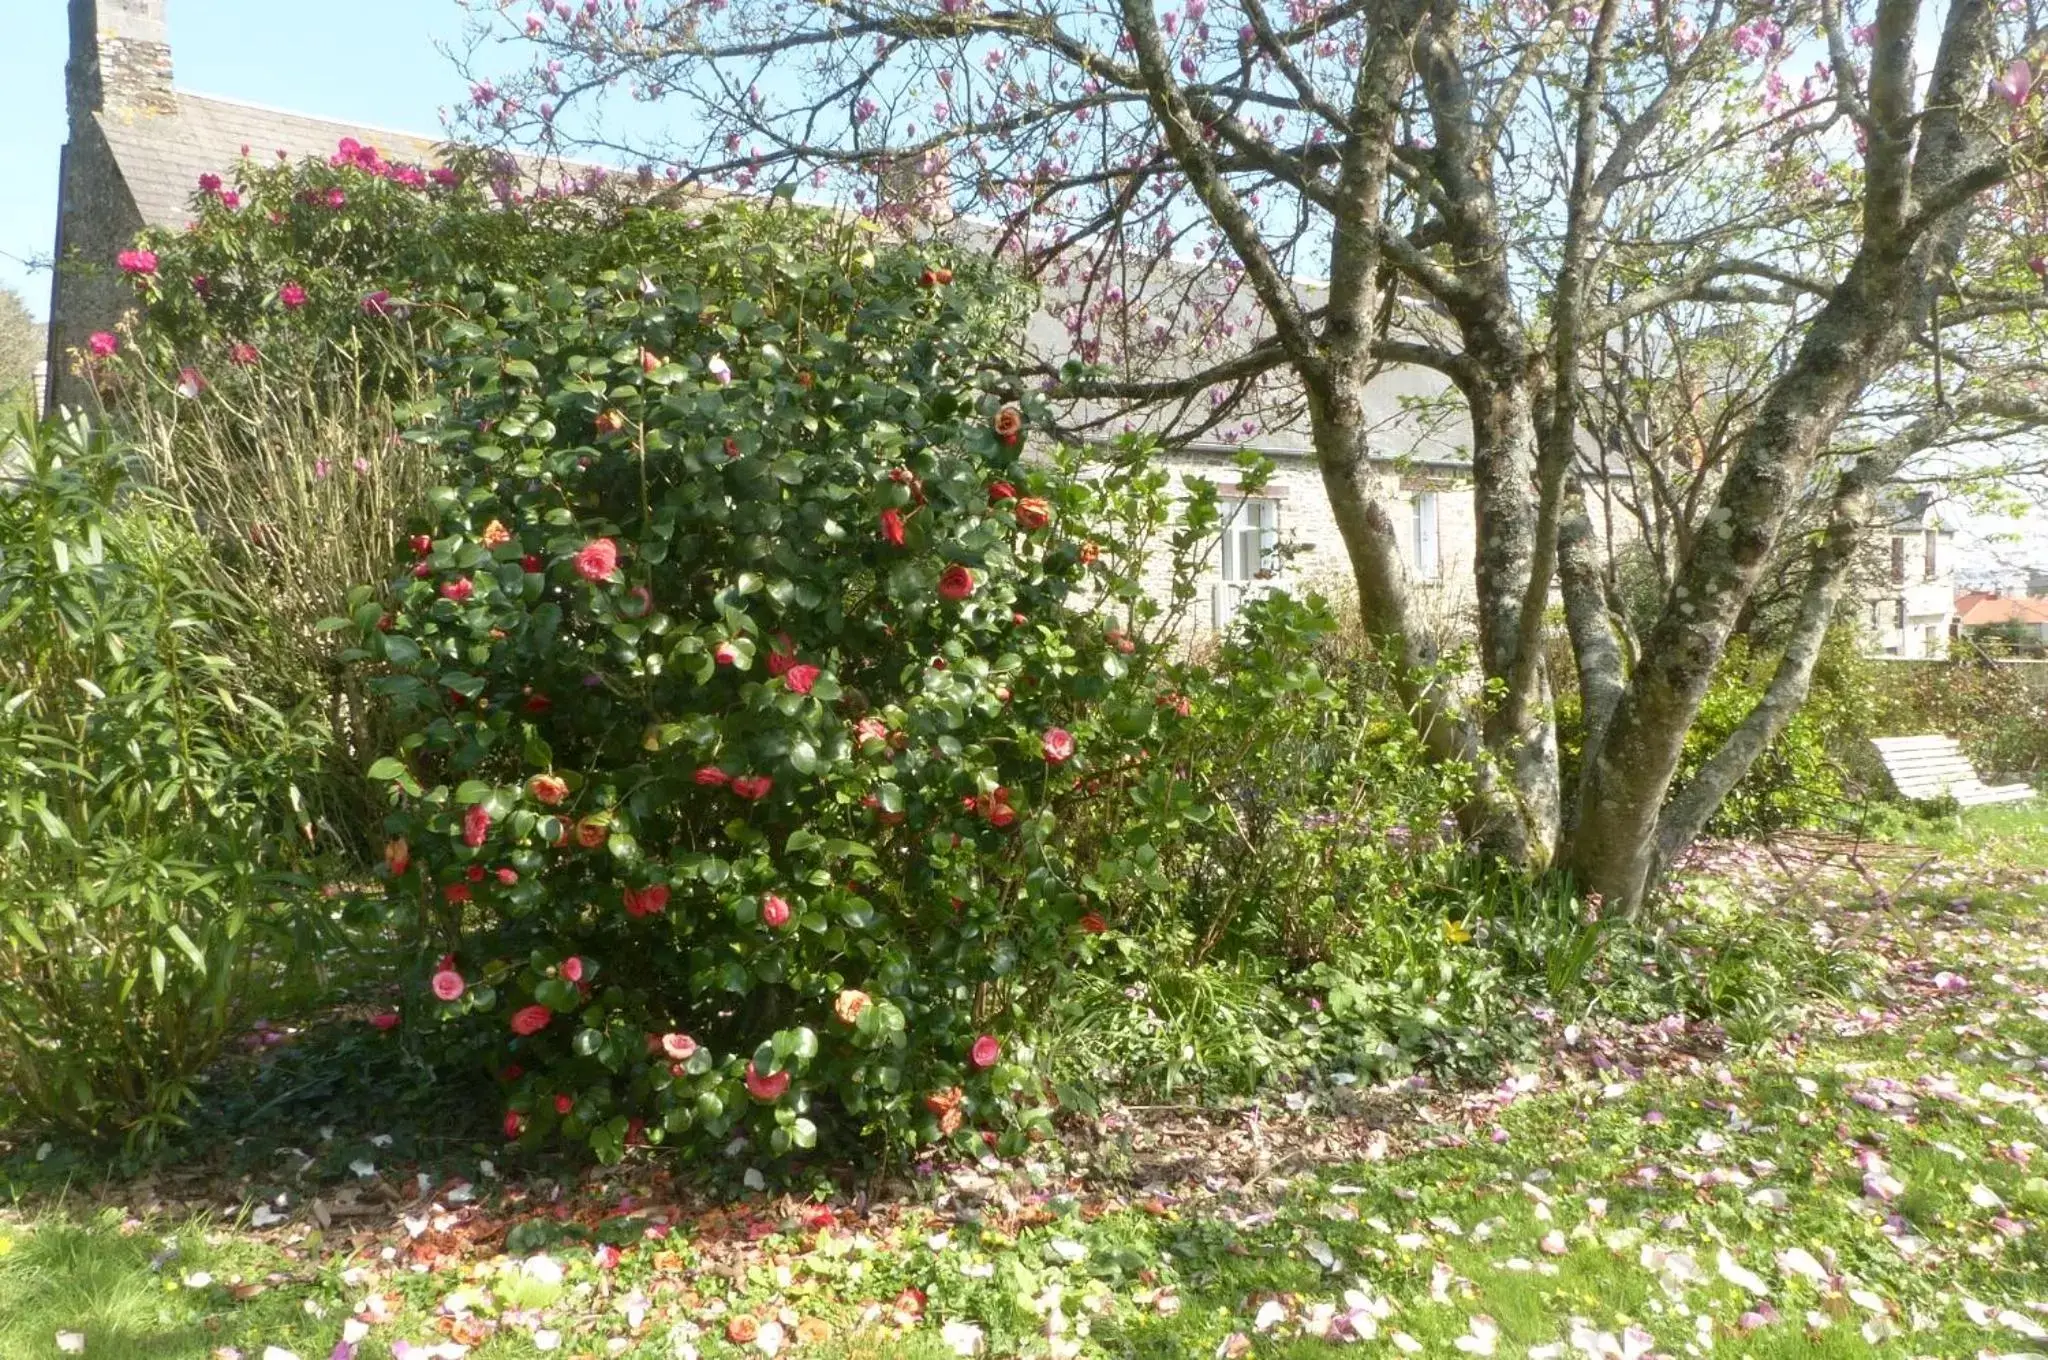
column 753, row 689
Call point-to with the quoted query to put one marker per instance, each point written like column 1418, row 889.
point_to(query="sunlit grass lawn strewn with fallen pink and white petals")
column 1871, row 1183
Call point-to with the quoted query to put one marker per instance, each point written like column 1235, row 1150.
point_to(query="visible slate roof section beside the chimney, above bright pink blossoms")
column 165, row 155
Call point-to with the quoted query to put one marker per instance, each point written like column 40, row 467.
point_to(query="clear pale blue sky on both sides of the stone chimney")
column 368, row 60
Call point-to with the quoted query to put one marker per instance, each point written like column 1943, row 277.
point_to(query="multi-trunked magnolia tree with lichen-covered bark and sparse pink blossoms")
column 1488, row 192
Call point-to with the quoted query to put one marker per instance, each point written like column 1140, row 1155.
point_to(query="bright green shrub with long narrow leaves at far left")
column 148, row 808
